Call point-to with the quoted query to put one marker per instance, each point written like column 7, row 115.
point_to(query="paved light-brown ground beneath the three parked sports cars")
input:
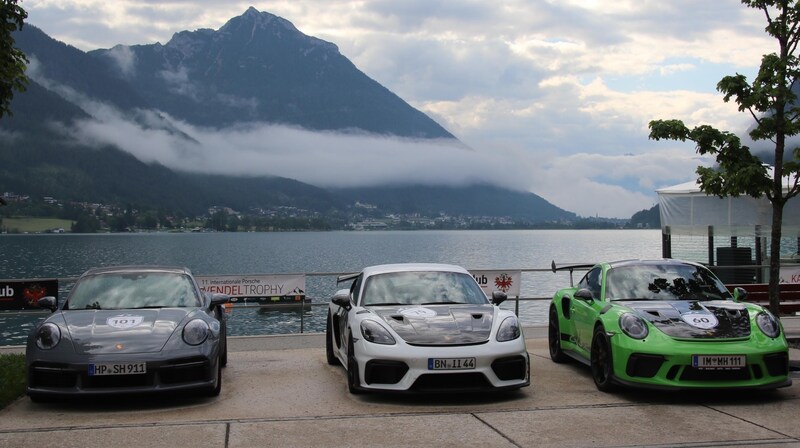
column 279, row 391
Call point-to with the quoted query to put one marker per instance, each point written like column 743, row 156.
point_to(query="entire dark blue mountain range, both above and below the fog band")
column 257, row 68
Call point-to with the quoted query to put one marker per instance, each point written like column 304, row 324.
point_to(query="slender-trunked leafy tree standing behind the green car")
column 773, row 106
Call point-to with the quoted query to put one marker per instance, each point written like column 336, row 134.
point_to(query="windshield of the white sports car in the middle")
column 422, row 288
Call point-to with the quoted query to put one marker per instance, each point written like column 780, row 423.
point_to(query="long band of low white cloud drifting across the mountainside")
column 587, row 184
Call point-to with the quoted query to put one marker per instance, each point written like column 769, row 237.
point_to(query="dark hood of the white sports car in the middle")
column 440, row 324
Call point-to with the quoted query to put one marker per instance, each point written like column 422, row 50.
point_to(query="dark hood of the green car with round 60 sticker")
column 687, row 319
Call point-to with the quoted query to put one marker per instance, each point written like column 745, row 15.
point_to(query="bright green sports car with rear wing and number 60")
column 665, row 324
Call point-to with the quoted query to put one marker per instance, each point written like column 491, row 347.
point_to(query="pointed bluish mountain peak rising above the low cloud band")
column 259, row 67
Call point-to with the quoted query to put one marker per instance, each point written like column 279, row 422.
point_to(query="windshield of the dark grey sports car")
column 133, row 290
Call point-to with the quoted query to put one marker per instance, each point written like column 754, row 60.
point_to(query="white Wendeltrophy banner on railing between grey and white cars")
column 264, row 287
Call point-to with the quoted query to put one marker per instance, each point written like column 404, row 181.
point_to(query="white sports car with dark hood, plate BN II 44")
column 424, row 327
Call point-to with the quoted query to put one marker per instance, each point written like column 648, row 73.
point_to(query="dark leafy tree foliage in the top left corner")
column 12, row 59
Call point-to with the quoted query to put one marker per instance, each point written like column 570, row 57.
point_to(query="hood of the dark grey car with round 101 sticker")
column 123, row 331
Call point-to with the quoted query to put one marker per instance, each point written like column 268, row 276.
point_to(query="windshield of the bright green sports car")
column 663, row 282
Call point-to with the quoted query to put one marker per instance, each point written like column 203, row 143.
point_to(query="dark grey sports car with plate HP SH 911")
column 129, row 329
